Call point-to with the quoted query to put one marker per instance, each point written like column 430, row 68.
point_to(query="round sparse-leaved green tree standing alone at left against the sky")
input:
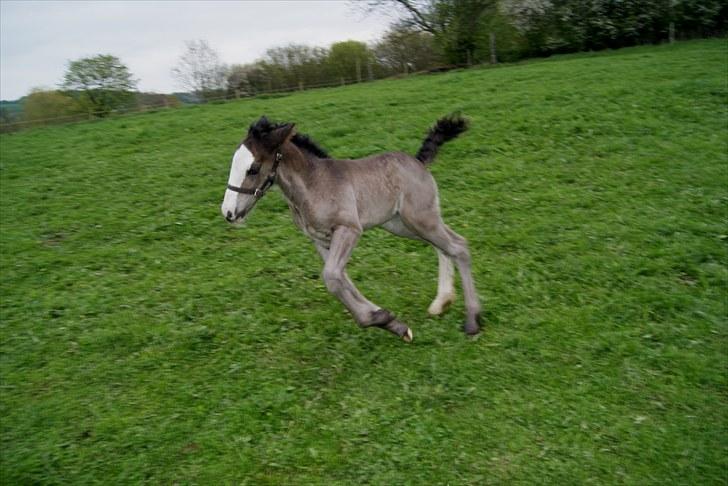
column 101, row 83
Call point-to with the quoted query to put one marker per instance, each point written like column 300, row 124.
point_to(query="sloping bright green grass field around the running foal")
column 145, row 340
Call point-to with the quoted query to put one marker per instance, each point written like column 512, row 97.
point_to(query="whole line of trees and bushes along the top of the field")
column 428, row 35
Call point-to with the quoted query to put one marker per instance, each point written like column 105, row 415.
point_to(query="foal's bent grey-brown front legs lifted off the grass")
column 366, row 314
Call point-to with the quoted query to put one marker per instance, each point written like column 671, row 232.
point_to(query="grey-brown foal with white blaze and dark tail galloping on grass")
column 333, row 201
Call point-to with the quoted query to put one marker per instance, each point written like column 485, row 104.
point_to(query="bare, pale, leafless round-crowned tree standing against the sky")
column 200, row 71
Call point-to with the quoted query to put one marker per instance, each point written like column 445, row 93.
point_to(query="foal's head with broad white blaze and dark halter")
column 253, row 168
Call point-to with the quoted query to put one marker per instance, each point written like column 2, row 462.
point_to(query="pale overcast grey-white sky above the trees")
column 39, row 38
